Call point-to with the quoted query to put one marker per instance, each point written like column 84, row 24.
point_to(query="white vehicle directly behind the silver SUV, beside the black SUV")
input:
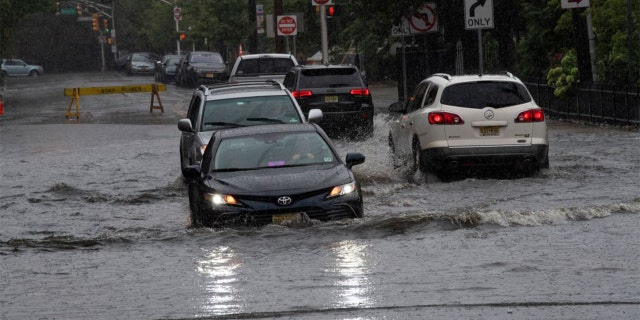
column 262, row 66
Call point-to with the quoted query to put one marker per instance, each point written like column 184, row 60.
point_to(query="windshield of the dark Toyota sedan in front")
column 272, row 150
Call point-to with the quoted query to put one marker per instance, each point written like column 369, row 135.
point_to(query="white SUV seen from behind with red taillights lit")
column 451, row 123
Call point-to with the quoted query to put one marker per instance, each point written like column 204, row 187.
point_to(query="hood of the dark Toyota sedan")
column 278, row 181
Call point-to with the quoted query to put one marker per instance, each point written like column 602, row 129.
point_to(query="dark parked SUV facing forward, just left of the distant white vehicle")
column 201, row 67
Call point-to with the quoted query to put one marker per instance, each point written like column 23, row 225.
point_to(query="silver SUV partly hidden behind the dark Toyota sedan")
column 225, row 106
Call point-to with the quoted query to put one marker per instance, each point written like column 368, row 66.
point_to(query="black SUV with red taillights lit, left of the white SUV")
column 337, row 90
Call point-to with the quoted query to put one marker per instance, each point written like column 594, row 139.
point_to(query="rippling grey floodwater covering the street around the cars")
column 94, row 225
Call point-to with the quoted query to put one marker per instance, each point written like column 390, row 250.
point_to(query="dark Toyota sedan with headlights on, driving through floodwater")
column 272, row 174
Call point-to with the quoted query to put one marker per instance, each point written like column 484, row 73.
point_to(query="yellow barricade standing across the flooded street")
column 75, row 94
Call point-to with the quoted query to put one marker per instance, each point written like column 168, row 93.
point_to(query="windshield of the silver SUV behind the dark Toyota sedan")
column 248, row 111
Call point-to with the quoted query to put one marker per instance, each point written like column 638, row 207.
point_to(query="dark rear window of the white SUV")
column 481, row 94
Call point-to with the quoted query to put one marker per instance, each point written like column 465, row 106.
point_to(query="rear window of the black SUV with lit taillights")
column 330, row 78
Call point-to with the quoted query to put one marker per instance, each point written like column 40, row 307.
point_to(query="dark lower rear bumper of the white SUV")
column 457, row 158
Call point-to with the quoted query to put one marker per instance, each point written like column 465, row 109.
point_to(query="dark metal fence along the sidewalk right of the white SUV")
column 593, row 103
